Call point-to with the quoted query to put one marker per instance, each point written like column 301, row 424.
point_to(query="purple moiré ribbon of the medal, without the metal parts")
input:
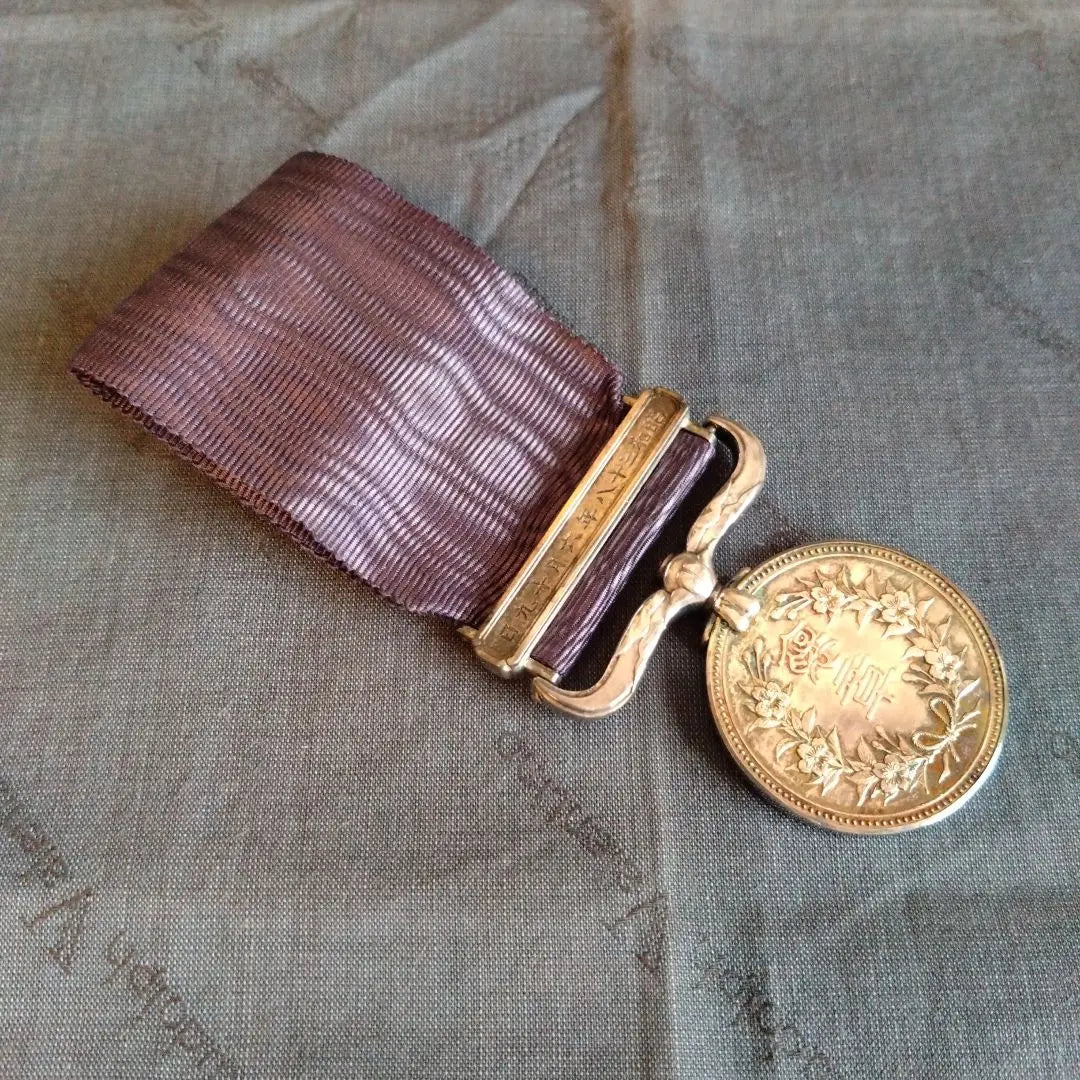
column 373, row 383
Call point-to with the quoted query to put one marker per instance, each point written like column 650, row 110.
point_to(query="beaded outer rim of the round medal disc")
column 788, row 798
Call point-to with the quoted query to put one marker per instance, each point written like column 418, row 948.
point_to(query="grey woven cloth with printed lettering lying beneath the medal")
column 258, row 821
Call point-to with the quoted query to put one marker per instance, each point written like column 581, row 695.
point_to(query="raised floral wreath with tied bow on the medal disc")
column 890, row 763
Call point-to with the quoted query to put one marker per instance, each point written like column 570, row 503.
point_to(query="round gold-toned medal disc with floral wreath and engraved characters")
column 867, row 696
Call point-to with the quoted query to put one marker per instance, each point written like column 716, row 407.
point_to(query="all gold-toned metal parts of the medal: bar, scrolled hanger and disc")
column 854, row 684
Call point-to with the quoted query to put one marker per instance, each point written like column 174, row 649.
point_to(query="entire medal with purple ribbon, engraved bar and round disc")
column 373, row 383
